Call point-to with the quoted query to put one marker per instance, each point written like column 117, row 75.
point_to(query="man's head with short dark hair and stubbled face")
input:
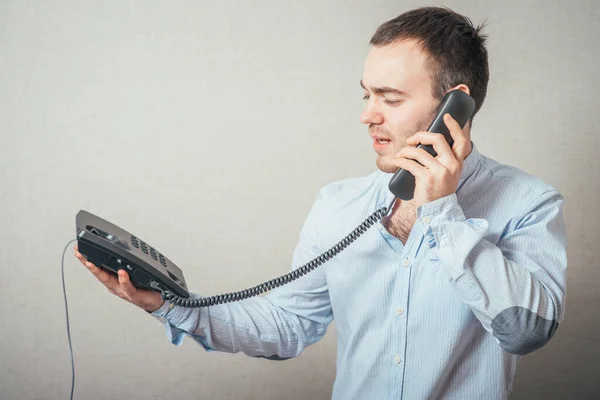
column 414, row 60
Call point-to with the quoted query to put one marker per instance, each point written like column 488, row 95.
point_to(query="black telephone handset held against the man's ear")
column 460, row 106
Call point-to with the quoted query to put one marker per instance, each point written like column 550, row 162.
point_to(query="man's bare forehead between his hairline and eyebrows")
column 401, row 65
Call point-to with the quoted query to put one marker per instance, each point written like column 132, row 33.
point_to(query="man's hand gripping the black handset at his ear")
column 435, row 177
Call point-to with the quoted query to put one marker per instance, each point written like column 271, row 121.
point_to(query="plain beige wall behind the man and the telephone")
column 206, row 128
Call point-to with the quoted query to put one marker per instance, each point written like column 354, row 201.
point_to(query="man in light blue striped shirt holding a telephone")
column 445, row 295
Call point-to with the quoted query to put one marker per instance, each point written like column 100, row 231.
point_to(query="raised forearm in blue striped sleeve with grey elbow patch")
column 510, row 301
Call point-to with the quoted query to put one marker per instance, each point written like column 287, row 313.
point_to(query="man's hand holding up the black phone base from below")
column 149, row 300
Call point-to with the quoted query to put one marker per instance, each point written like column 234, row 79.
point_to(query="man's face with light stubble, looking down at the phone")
column 398, row 98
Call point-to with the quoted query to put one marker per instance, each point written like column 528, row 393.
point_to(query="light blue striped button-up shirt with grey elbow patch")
column 480, row 282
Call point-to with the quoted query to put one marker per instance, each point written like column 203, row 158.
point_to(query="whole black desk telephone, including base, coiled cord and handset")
column 112, row 248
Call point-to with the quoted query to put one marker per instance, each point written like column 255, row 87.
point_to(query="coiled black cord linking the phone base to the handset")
column 282, row 280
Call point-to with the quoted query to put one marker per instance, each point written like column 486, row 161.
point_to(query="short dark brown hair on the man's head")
column 455, row 48
